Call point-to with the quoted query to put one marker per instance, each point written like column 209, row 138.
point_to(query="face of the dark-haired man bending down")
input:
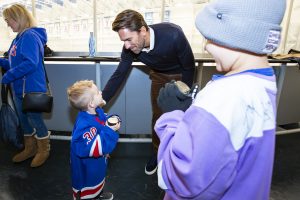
column 133, row 40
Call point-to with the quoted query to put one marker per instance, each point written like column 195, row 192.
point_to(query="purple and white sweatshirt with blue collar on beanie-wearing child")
column 223, row 146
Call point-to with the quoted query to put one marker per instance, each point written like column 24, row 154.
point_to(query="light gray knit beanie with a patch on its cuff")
column 250, row 25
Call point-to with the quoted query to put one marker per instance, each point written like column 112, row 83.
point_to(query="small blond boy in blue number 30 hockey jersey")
column 92, row 142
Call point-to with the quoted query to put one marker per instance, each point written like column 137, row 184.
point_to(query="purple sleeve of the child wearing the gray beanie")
column 195, row 155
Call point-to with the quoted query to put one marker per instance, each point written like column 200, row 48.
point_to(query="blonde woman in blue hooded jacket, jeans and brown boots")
column 25, row 64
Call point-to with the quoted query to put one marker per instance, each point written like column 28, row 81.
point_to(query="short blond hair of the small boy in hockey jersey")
column 79, row 94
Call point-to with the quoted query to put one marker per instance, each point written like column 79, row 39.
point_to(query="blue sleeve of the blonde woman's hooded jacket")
column 29, row 52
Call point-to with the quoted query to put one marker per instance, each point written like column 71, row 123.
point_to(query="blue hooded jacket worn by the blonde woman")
column 25, row 61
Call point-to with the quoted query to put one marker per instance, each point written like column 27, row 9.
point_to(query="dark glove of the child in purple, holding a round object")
column 176, row 95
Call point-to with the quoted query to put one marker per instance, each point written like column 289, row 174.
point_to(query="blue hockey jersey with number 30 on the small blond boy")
column 91, row 142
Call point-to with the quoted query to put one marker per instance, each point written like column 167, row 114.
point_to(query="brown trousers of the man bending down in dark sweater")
column 158, row 80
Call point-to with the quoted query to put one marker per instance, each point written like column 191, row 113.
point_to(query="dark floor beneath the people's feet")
column 126, row 178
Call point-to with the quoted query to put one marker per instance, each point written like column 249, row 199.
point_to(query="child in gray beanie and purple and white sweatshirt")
column 222, row 147
